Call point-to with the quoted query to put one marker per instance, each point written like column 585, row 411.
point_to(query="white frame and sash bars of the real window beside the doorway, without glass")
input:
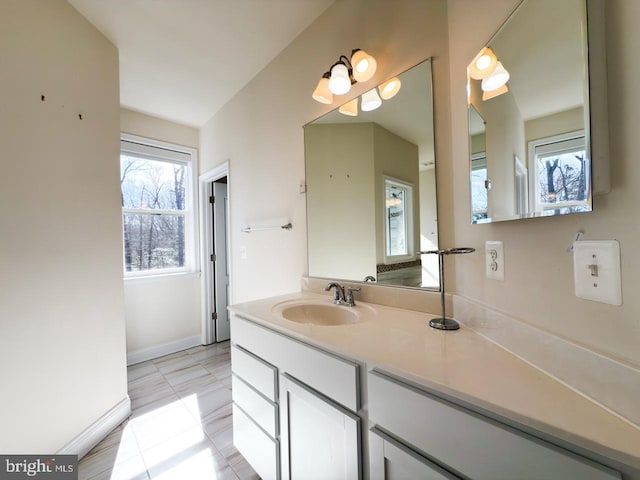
column 151, row 149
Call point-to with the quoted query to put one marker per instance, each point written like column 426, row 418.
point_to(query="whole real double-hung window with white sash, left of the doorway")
column 157, row 207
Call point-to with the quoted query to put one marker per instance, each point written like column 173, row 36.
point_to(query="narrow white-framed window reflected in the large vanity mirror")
column 398, row 220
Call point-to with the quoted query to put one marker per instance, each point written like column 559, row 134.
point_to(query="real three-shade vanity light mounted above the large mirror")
column 344, row 73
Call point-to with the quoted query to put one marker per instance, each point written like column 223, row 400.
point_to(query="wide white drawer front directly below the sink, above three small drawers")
column 334, row 376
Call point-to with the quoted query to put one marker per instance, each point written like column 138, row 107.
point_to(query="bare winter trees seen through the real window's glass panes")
column 154, row 207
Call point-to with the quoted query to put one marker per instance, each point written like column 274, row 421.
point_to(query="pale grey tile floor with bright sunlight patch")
column 181, row 425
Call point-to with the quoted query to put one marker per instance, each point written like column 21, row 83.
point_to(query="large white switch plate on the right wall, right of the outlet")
column 596, row 271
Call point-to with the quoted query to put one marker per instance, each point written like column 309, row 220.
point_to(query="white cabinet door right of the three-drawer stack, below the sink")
column 320, row 439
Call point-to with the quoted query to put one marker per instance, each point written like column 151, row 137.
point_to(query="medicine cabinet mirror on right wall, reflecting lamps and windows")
column 530, row 138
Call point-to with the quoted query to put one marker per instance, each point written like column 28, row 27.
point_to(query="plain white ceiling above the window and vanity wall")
column 182, row 60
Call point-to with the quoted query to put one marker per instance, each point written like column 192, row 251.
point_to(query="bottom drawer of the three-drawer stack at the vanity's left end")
column 256, row 447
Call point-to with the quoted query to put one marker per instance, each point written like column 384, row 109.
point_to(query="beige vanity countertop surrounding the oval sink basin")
column 465, row 366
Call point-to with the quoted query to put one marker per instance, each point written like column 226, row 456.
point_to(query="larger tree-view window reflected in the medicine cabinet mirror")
column 562, row 170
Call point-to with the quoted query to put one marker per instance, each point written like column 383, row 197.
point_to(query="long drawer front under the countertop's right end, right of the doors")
column 466, row 442
